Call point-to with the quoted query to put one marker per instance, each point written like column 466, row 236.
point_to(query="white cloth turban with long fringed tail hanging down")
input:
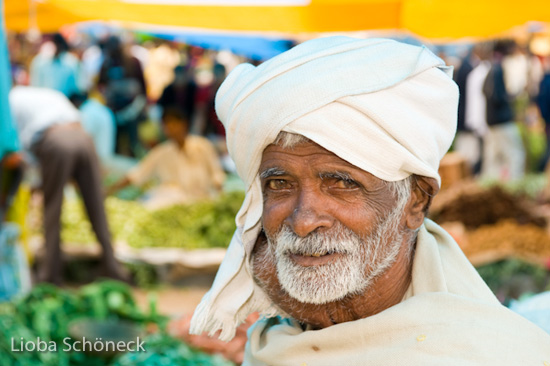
column 386, row 107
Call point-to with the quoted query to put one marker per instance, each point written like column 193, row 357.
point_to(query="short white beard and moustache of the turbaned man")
column 362, row 260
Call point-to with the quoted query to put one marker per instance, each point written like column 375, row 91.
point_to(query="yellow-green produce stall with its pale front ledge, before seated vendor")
column 172, row 242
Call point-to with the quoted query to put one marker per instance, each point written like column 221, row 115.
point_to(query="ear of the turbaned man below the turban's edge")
column 422, row 191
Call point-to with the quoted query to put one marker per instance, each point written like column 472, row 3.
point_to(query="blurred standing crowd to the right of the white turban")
column 504, row 110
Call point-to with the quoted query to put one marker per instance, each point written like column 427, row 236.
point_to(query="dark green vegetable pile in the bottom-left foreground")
column 47, row 312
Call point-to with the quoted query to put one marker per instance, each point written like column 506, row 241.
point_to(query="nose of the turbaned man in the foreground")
column 310, row 214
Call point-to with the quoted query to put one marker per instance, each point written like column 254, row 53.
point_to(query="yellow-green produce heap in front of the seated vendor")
column 206, row 224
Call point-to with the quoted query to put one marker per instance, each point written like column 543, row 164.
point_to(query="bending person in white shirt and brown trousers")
column 49, row 127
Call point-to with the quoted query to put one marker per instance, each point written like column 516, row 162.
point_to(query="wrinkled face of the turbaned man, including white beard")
column 331, row 227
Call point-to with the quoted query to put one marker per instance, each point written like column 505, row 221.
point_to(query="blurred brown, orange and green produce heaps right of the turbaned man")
column 502, row 230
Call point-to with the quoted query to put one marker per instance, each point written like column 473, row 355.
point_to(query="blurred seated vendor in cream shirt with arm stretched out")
column 186, row 167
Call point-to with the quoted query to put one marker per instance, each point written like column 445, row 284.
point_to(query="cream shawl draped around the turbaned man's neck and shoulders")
column 448, row 317
